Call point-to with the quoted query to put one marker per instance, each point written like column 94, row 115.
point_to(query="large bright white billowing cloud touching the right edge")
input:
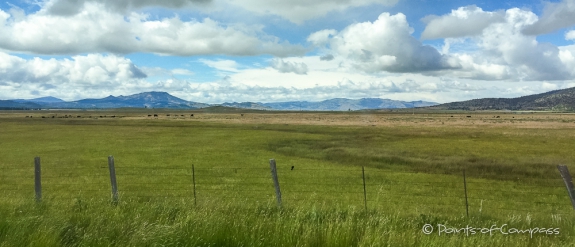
column 502, row 52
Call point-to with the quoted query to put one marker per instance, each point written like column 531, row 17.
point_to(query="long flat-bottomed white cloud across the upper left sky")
column 96, row 30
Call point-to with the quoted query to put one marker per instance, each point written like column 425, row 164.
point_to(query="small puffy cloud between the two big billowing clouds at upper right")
column 464, row 21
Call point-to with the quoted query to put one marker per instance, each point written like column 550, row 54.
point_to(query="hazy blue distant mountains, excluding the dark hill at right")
column 165, row 100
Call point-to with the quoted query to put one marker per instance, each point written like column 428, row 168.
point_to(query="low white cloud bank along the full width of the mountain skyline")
column 97, row 76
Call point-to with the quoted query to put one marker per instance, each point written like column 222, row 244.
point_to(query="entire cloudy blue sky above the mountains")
column 216, row 51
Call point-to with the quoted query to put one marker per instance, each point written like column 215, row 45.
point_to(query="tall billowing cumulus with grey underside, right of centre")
column 387, row 45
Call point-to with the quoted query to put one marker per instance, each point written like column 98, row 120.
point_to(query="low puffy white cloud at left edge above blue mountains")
column 93, row 71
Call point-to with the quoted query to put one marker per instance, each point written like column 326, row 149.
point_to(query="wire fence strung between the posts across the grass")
column 372, row 188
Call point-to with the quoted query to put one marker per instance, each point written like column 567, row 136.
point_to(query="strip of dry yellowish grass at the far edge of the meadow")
column 539, row 120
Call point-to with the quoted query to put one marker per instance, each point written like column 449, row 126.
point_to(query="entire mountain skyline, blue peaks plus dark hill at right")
column 562, row 100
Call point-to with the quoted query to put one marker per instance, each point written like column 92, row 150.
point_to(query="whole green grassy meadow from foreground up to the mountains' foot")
column 413, row 163
